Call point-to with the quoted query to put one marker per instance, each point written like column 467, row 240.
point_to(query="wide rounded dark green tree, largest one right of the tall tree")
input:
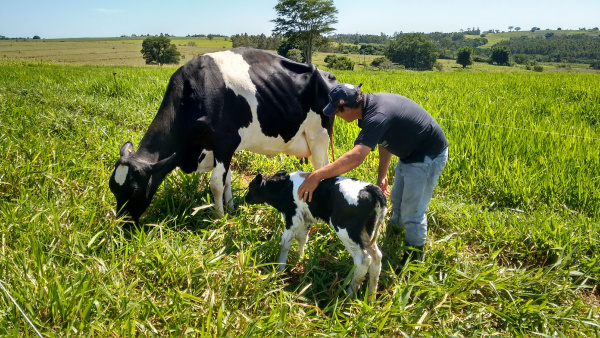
column 412, row 50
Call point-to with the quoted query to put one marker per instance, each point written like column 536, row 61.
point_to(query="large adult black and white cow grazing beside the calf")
column 220, row 103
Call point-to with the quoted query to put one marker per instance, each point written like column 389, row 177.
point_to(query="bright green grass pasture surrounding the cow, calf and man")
column 513, row 246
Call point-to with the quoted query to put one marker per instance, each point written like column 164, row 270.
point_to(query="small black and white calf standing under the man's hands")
column 355, row 209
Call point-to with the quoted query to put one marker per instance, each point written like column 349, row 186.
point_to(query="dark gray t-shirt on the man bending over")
column 400, row 126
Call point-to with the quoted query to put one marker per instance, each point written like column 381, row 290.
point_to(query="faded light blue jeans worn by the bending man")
column 411, row 194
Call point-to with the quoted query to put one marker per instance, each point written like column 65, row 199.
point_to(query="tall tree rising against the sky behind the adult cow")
column 303, row 22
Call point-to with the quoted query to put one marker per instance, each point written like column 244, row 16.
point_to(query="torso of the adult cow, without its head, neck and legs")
column 267, row 100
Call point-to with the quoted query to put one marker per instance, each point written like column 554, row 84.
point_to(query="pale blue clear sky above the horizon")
column 110, row 18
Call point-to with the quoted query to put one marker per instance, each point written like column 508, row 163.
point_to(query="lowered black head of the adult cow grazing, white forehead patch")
column 134, row 182
